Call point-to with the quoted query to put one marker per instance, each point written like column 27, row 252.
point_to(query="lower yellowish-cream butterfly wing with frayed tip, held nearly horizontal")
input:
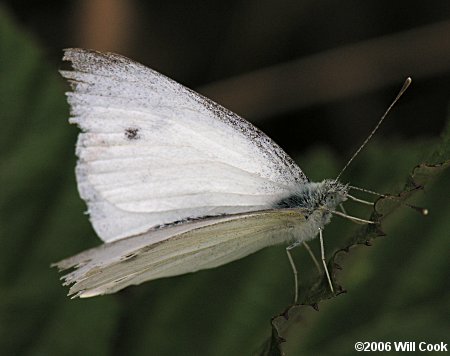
column 179, row 249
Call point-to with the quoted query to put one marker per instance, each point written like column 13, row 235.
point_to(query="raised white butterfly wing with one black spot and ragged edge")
column 153, row 152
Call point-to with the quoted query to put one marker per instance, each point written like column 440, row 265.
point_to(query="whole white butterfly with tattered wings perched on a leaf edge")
column 175, row 183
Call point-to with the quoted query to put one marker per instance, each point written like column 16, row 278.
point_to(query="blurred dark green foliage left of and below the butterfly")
column 397, row 290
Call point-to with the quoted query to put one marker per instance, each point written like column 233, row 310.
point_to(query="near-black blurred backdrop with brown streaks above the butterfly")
column 307, row 72
